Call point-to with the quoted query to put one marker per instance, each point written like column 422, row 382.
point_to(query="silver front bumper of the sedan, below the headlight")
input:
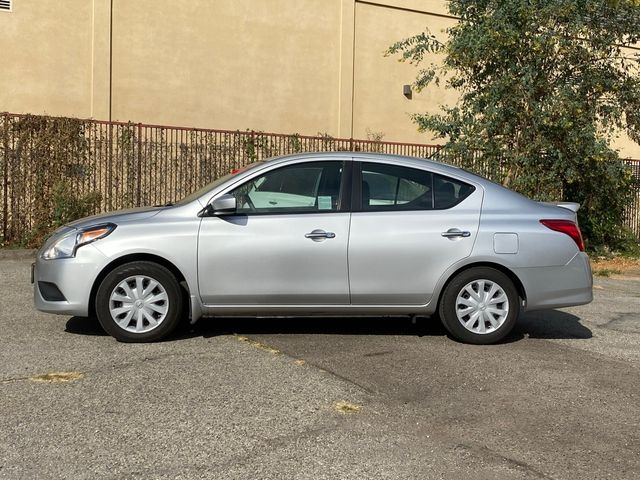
column 73, row 277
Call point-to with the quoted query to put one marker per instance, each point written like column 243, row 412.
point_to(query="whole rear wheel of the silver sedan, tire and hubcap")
column 479, row 306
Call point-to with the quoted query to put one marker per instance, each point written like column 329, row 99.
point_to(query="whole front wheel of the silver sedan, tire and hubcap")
column 139, row 302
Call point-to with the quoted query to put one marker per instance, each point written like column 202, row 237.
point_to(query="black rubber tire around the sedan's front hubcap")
column 166, row 281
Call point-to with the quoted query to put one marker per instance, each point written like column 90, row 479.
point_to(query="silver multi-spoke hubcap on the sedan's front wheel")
column 138, row 304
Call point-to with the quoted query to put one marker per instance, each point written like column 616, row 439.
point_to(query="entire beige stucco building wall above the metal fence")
column 304, row 66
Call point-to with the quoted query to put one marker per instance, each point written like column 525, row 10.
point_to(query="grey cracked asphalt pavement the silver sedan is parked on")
column 318, row 398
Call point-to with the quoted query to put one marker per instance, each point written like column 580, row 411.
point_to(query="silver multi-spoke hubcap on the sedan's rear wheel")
column 482, row 306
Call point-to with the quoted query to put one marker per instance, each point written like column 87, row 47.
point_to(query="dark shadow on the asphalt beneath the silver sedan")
column 550, row 324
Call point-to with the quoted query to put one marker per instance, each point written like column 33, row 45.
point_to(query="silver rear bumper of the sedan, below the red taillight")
column 560, row 286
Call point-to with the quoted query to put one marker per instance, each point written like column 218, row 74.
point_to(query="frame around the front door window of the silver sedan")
column 344, row 195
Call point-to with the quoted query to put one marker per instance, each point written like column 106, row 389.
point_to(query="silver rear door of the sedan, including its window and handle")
column 408, row 226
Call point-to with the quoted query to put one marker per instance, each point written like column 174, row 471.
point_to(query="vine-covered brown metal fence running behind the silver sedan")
column 54, row 169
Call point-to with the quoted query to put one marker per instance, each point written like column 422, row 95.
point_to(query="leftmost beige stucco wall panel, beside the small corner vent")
column 46, row 57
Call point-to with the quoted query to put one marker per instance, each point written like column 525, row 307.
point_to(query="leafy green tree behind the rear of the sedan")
column 545, row 85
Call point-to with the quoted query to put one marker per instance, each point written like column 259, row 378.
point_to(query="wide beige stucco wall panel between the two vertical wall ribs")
column 229, row 64
